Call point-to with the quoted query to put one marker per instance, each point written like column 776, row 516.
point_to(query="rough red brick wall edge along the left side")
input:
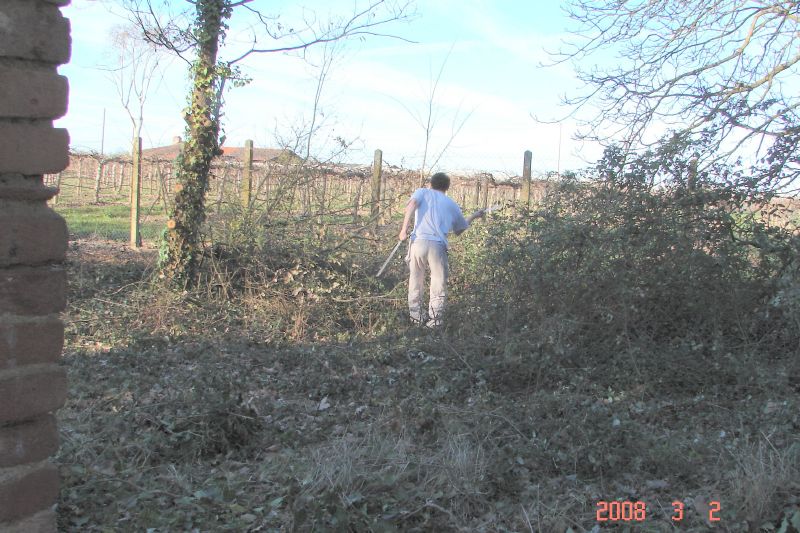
column 34, row 40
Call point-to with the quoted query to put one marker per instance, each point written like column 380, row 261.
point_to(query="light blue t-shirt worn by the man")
column 436, row 216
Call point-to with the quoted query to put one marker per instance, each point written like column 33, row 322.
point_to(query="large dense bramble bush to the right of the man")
column 647, row 263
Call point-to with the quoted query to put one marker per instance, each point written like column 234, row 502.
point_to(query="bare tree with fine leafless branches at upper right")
column 718, row 68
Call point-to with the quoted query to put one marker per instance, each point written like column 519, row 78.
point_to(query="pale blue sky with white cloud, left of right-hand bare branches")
column 494, row 99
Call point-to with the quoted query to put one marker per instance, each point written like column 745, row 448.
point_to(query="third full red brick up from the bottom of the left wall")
column 30, row 391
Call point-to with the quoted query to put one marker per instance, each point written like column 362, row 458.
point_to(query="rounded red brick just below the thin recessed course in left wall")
column 32, row 234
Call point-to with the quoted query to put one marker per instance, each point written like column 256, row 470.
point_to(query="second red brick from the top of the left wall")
column 32, row 92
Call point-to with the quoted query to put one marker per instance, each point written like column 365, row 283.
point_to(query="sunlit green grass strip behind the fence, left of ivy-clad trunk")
column 107, row 222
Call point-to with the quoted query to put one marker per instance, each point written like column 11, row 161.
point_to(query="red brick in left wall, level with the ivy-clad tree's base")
column 32, row 291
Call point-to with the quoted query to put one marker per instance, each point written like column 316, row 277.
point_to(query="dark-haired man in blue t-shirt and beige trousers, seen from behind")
column 435, row 215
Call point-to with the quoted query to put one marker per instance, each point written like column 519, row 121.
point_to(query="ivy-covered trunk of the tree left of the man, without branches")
column 183, row 244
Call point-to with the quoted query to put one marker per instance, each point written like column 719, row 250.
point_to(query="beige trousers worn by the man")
column 424, row 255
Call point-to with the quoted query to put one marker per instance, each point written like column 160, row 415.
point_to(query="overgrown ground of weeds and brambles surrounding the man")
column 288, row 392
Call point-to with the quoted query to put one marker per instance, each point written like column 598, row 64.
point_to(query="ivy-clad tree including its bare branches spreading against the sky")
column 197, row 34
